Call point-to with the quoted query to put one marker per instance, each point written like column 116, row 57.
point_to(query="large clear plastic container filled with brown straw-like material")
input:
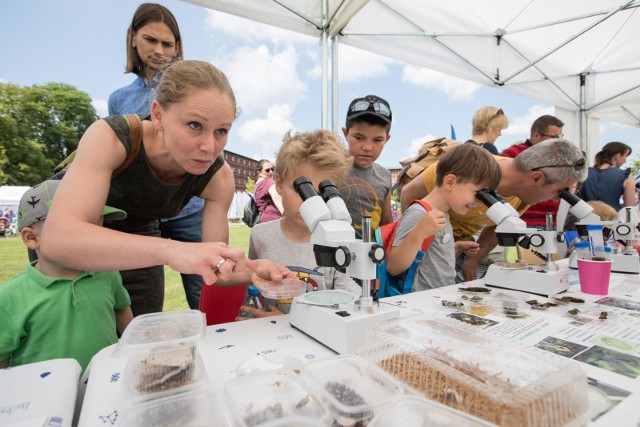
column 500, row 381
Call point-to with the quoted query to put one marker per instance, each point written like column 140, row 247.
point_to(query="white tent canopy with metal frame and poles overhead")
column 580, row 56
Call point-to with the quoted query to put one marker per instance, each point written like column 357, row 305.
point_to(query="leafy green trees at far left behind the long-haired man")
column 40, row 126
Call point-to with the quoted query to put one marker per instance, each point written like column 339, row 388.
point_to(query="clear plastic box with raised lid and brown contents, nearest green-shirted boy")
column 162, row 349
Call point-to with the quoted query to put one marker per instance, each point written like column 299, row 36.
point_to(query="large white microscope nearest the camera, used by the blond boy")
column 335, row 317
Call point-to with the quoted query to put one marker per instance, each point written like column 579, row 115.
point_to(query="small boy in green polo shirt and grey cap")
column 50, row 311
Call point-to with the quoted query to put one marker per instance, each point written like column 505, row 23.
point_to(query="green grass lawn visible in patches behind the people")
column 14, row 260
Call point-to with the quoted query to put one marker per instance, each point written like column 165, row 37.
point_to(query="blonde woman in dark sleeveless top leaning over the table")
column 180, row 156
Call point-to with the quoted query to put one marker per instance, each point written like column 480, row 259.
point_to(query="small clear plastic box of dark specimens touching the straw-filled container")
column 353, row 388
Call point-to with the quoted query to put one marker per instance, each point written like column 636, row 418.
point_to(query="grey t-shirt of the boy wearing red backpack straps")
column 438, row 265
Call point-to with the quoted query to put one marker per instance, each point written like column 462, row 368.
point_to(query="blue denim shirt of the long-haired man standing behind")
column 136, row 99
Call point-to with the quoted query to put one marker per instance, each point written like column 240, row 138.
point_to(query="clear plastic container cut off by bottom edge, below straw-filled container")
column 414, row 411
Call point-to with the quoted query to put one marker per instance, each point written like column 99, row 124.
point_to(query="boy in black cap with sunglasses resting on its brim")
column 367, row 188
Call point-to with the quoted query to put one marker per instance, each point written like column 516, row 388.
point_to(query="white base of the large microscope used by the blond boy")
column 344, row 335
